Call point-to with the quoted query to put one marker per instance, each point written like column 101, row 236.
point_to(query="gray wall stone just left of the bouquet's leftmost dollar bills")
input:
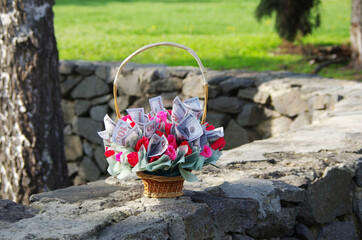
column 88, row 128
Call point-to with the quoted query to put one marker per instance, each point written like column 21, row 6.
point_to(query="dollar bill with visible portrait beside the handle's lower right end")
column 189, row 128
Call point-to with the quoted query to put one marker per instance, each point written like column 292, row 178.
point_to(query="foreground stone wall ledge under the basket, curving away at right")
column 303, row 184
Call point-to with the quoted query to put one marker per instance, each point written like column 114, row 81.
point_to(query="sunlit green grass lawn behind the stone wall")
column 223, row 33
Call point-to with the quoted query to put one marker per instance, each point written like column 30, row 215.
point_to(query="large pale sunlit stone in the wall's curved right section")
column 289, row 103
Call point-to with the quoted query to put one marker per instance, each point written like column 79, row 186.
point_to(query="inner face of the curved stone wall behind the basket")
column 246, row 104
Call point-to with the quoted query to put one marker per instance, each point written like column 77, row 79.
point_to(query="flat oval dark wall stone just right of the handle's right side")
column 226, row 104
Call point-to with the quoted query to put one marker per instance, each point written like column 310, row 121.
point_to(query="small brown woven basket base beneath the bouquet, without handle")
column 160, row 186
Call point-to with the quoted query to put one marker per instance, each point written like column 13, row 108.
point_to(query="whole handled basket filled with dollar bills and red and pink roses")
column 163, row 146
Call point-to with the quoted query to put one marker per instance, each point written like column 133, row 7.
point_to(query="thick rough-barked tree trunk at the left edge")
column 31, row 124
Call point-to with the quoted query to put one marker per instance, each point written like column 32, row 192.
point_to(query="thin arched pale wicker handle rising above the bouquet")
column 201, row 66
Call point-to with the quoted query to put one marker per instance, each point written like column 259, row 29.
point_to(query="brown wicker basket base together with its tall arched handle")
column 161, row 186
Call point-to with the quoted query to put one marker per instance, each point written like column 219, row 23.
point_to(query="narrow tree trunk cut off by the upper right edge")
column 356, row 33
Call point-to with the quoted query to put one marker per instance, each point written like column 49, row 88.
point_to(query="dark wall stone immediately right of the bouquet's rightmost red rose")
column 235, row 135
